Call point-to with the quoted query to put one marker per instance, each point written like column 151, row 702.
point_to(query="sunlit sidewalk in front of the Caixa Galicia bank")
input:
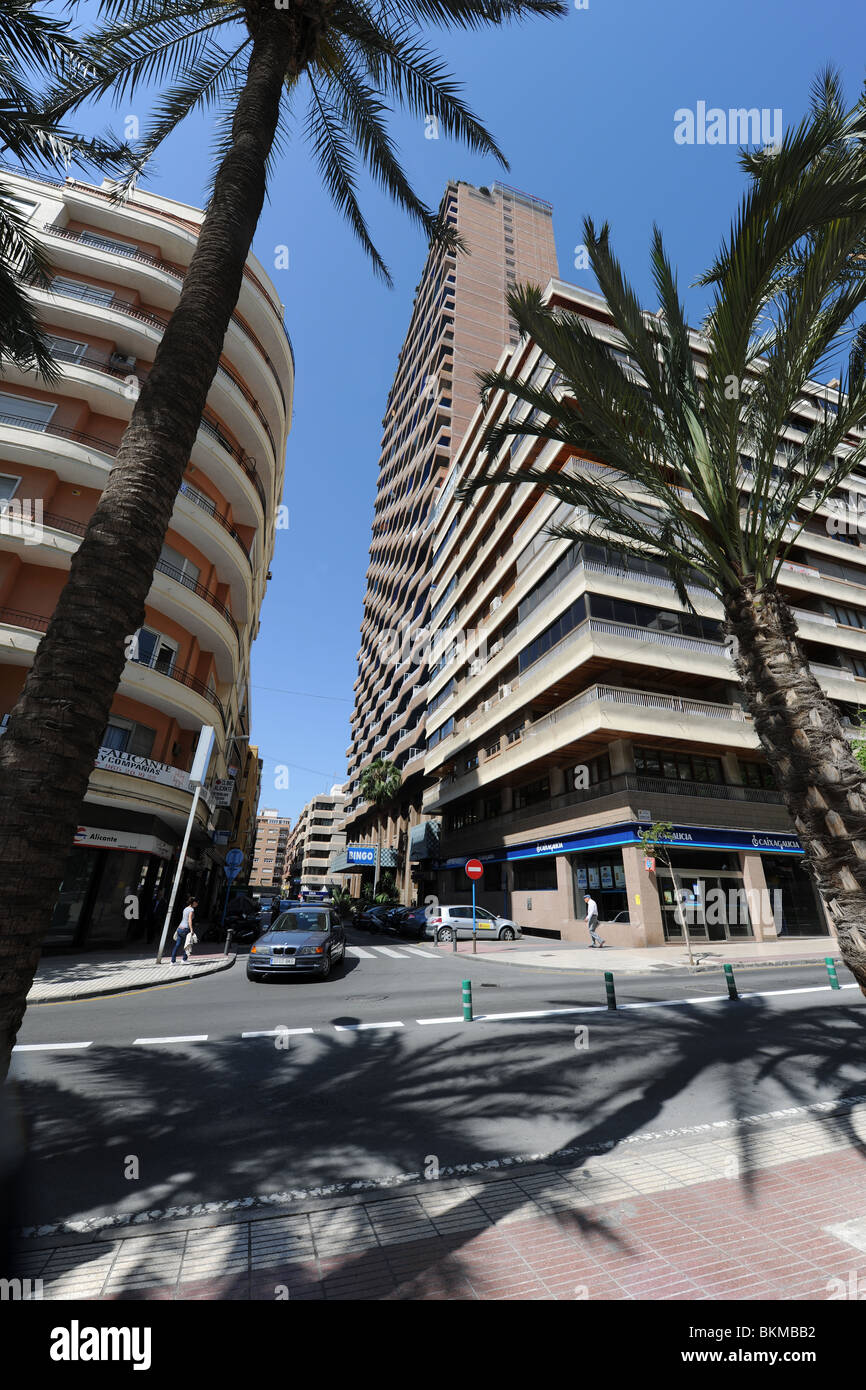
column 566, row 956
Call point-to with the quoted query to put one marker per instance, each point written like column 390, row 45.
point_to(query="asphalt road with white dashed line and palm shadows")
column 377, row 1090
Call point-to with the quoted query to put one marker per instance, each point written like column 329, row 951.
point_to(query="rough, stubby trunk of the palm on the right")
column 815, row 768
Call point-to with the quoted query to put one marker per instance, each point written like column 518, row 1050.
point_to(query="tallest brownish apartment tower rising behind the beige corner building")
column 458, row 329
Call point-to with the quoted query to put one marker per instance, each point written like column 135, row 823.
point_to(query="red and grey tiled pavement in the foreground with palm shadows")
column 743, row 1217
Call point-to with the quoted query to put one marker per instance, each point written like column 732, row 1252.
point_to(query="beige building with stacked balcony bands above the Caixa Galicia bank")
column 600, row 705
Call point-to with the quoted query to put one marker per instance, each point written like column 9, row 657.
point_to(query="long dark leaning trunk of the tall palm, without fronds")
column 55, row 730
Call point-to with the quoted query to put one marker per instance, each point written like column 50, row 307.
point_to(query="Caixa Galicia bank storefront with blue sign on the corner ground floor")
column 718, row 885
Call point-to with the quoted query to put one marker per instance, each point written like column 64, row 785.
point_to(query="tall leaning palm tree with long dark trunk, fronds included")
column 352, row 63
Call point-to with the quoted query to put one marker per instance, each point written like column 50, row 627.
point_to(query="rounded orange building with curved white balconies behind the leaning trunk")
column 117, row 273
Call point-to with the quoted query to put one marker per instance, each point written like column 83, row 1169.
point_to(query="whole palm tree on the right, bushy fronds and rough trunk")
column 693, row 469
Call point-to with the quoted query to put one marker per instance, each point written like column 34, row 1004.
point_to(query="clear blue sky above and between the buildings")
column 585, row 111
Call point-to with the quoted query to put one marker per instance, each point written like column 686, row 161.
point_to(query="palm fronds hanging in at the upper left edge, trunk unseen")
column 34, row 48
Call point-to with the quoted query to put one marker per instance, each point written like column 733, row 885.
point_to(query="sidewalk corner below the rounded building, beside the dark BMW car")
column 81, row 976
